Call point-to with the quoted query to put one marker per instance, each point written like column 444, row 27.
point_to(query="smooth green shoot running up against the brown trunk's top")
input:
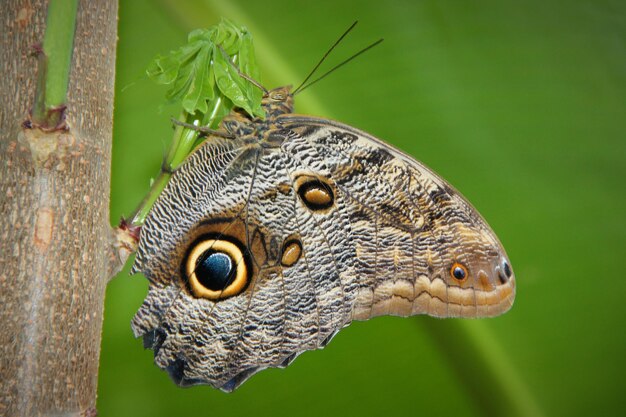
column 54, row 65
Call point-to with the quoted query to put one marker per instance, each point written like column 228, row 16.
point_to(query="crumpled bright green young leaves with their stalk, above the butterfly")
column 201, row 76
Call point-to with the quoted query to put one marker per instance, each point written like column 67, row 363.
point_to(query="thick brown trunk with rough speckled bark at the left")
column 55, row 252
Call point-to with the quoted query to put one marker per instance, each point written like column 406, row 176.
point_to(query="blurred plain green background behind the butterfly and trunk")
column 521, row 105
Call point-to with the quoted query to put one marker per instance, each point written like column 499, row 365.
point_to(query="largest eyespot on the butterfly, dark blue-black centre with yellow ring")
column 216, row 268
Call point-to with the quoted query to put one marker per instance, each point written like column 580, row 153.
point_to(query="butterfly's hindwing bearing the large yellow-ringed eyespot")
column 297, row 288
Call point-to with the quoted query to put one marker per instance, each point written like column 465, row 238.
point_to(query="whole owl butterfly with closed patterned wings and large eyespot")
column 277, row 233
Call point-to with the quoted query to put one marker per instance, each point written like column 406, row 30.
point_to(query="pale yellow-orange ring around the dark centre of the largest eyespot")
column 229, row 249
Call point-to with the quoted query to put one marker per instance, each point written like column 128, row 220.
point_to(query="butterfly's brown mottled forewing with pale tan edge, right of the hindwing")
column 409, row 228
